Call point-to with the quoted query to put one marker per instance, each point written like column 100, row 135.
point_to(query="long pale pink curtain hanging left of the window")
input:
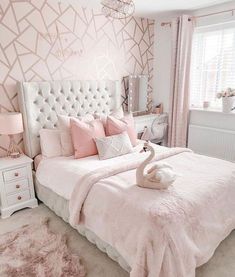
column 182, row 33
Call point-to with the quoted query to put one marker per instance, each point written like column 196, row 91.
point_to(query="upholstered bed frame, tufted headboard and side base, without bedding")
column 39, row 104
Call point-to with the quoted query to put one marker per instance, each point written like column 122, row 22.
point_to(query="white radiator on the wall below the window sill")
column 212, row 142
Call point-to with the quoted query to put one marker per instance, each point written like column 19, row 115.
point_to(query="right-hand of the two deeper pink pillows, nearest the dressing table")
column 116, row 126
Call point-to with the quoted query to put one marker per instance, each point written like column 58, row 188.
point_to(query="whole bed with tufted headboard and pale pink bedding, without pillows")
column 167, row 231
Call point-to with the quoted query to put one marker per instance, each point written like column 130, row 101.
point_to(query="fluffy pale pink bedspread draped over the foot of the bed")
column 160, row 233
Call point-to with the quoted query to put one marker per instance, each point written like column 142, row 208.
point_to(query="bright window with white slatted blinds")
column 213, row 63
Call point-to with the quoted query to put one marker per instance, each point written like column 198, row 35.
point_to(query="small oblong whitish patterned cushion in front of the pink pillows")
column 113, row 146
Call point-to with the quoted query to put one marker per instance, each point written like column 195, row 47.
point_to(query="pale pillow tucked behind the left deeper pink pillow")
column 65, row 133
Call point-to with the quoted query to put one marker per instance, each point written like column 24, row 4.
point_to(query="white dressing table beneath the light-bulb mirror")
column 152, row 120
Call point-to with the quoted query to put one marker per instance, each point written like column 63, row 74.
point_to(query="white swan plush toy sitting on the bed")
column 159, row 176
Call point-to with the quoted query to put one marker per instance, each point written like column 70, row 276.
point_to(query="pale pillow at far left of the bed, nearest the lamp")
column 50, row 143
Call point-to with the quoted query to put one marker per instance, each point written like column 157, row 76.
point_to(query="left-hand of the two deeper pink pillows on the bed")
column 83, row 135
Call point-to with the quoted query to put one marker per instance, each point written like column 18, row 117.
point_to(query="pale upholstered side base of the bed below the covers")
column 60, row 207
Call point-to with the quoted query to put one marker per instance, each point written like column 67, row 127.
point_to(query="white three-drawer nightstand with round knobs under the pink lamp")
column 16, row 185
